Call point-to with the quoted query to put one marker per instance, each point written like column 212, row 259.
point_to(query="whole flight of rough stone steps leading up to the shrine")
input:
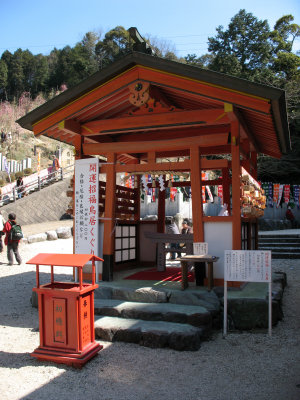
column 154, row 317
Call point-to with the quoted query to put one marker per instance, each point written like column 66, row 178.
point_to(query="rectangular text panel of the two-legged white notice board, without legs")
column 247, row 266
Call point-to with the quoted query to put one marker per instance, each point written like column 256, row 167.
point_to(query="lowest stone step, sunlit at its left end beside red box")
column 155, row 334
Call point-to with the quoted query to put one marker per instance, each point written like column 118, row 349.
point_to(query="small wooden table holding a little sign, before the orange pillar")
column 199, row 269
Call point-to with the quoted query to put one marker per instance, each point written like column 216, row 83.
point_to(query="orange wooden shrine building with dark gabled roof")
column 146, row 115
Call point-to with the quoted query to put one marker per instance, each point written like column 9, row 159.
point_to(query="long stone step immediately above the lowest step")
column 184, row 314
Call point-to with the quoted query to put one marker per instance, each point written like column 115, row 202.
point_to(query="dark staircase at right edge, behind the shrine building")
column 282, row 245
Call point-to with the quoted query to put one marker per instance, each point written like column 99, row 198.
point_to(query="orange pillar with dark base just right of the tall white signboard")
column 109, row 219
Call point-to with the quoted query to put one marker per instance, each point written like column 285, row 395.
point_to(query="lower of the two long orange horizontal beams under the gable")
column 159, row 145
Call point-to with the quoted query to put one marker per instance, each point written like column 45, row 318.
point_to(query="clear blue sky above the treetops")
column 184, row 25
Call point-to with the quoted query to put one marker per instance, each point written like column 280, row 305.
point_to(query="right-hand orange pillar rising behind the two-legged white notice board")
column 236, row 183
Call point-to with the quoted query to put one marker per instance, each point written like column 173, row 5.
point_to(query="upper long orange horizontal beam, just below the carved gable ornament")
column 174, row 119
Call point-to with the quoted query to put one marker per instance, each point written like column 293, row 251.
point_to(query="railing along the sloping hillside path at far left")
column 32, row 183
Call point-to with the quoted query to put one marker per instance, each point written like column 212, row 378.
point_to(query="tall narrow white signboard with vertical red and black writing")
column 87, row 207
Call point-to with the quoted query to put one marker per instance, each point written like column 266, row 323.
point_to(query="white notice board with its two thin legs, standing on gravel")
column 248, row 266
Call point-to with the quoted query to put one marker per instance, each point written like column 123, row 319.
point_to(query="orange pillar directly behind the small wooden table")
column 196, row 187
